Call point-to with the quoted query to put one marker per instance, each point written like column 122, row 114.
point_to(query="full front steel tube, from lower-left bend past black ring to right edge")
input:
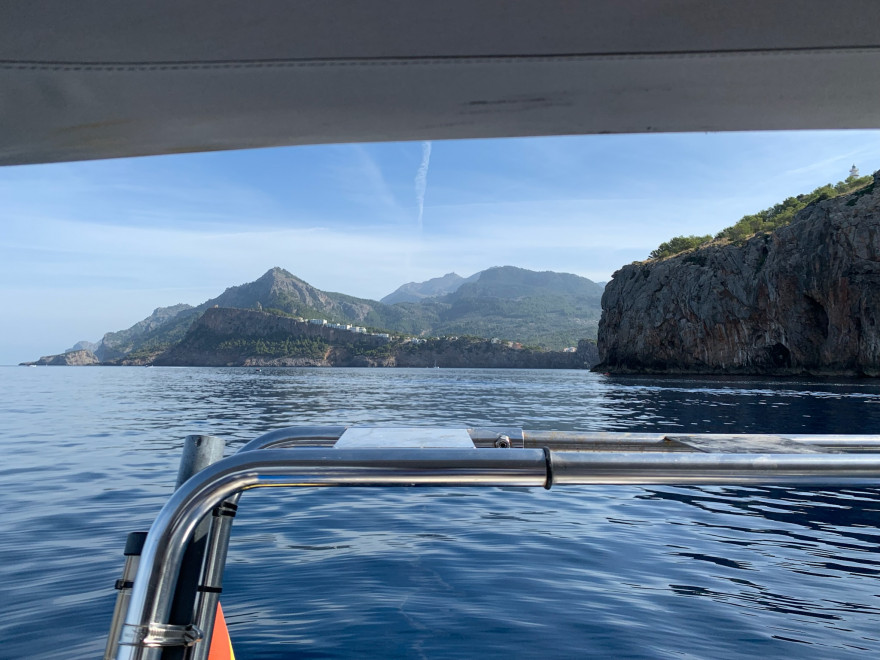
column 318, row 466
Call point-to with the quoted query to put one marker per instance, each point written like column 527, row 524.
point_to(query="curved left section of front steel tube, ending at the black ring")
column 301, row 467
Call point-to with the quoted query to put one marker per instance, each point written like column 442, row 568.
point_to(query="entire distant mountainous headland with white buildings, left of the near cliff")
column 503, row 317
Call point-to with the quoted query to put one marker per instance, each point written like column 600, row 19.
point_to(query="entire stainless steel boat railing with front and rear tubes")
column 336, row 456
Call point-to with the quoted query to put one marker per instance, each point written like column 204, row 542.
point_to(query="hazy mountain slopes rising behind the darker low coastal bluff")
column 548, row 309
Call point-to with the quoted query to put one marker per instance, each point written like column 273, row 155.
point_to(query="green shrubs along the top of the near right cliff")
column 768, row 220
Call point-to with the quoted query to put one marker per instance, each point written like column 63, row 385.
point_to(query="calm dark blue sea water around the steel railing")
column 89, row 454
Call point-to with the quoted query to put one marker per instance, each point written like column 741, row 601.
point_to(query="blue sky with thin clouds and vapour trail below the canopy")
column 91, row 247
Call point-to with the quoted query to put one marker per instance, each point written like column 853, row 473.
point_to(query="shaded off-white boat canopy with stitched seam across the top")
column 91, row 79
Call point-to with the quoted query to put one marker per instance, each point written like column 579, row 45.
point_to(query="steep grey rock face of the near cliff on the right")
column 804, row 299
